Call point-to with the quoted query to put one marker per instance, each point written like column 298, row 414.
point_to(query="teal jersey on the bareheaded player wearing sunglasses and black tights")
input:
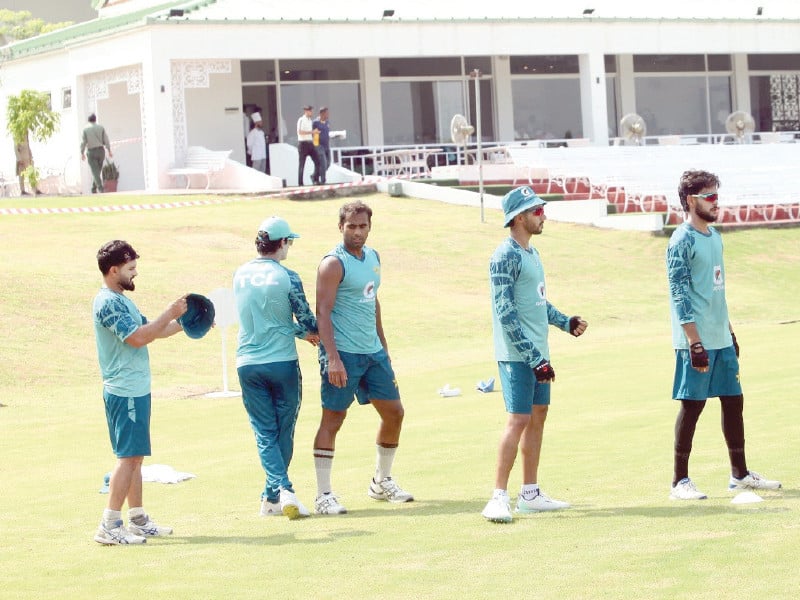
column 696, row 277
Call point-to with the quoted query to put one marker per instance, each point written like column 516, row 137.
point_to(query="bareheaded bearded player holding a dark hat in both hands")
column 122, row 334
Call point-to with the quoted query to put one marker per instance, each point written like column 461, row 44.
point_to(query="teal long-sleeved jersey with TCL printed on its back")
column 268, row 297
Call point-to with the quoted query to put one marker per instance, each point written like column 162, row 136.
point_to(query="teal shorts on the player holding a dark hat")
column 128, row 424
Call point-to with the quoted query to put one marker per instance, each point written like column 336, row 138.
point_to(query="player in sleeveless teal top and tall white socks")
column 354, row 358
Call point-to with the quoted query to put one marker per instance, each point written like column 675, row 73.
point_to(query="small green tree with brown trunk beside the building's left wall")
column 29, row 115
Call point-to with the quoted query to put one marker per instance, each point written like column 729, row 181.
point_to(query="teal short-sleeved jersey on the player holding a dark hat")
column 125, row 369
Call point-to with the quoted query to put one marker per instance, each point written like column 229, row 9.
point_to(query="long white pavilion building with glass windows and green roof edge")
column 163, row 76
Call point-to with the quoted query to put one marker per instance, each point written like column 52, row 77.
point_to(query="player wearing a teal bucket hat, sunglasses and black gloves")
column 521, row 316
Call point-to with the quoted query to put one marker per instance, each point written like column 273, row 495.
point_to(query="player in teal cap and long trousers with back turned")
column 269, row 297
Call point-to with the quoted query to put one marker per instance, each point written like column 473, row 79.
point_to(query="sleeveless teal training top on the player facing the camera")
column 353, row 314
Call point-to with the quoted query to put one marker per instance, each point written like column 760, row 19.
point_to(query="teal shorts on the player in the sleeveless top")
column 369, row 377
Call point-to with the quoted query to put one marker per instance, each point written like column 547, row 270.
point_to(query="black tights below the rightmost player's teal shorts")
column 732, row 429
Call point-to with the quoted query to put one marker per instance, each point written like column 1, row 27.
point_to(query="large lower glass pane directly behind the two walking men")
column 342, row 99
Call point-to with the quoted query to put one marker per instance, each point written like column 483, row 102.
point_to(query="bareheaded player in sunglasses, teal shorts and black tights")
column 706, row 351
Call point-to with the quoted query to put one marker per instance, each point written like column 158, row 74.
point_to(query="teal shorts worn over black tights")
column 721, row 379
